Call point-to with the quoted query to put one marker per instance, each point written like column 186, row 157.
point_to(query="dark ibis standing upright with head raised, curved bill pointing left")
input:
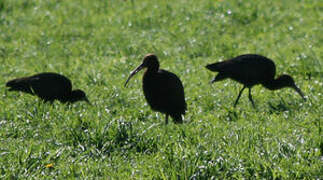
column 163, row 90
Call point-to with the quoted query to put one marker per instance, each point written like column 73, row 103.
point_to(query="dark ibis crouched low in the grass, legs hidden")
column 48, row 86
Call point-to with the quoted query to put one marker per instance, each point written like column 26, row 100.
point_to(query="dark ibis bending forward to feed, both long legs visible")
column 252, row 69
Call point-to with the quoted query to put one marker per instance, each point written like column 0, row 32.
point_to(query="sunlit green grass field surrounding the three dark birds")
column 97, row 43
